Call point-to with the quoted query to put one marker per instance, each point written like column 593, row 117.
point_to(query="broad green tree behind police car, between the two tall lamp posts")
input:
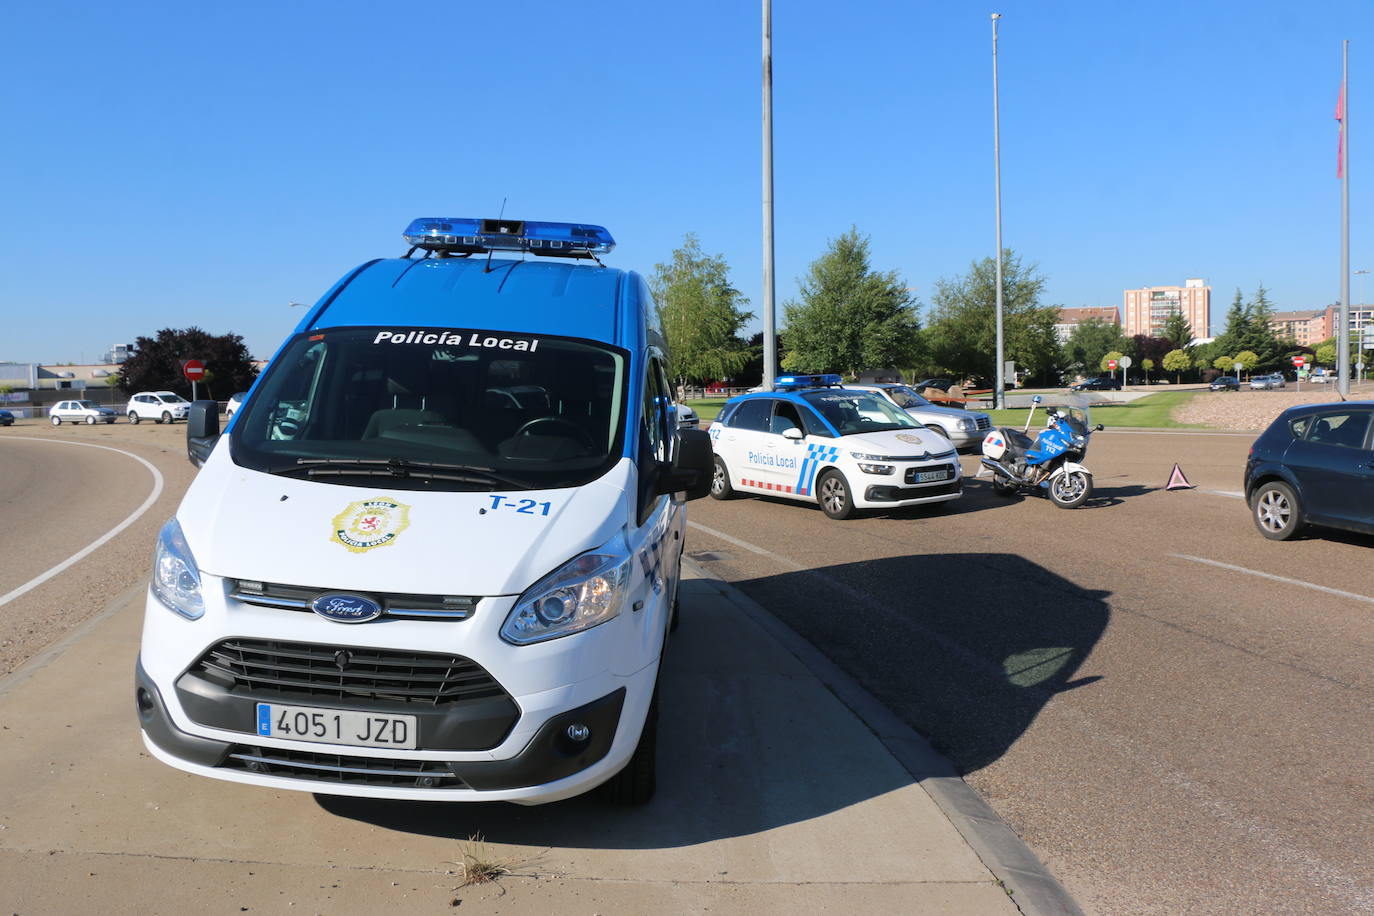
column 848, row 317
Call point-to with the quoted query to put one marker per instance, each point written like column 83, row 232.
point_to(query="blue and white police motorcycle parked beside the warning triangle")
column 1050, row 462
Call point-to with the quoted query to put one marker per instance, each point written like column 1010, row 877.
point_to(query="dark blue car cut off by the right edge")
column 1314, row 465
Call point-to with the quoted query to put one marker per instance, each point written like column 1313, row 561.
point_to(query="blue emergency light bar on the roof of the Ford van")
column 443, row 234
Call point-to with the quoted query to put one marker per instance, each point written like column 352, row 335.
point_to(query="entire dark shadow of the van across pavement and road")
column 965, row 648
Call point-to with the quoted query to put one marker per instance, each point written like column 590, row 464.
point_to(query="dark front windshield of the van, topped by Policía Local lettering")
column 436, row 409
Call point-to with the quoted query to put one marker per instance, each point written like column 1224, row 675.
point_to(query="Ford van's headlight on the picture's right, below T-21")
column 582, row 594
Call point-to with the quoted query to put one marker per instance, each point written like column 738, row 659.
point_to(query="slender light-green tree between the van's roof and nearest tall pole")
column 700, row 314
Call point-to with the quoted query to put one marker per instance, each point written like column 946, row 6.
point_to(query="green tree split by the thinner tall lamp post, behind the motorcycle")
column 962, row 330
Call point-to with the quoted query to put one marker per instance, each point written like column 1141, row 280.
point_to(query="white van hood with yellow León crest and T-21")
column 244, row 524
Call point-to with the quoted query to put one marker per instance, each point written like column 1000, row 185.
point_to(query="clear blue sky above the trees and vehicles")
column 172, row 165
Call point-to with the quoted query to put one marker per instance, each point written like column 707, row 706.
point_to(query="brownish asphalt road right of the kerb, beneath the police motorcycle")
column 1164, row 705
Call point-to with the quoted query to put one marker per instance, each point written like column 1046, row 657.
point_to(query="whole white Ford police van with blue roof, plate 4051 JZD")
column 436, row 554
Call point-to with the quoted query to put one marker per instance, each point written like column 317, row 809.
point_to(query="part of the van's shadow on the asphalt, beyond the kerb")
column 965, row 648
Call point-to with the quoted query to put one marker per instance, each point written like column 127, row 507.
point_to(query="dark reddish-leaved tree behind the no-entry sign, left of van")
column 156, row 363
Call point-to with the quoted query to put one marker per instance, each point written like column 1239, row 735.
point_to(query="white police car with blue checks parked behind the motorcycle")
column 815, row 442
